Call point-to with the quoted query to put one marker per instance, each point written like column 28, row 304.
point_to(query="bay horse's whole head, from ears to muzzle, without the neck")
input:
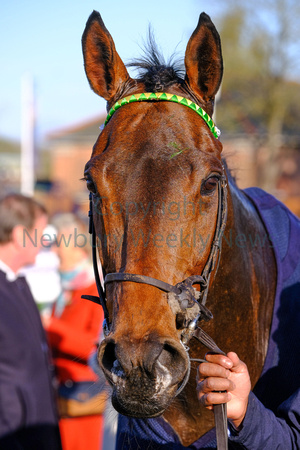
column 154, row 175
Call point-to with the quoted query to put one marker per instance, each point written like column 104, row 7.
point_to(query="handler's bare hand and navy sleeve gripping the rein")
column 252, row 426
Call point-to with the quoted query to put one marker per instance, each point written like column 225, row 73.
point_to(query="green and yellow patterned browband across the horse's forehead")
column 163, row 96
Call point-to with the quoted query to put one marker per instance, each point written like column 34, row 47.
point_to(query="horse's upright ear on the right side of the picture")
column 203, row 60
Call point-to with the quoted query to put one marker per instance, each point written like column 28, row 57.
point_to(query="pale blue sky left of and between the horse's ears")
column 44, row 39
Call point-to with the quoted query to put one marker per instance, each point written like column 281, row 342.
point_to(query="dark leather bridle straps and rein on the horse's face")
column 184, row 292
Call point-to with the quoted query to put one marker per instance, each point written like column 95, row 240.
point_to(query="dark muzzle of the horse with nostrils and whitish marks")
column 145, row 374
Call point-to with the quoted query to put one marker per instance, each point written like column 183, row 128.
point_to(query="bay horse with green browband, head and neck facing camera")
column 156, row 178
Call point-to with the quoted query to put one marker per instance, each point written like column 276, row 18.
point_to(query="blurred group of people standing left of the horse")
column 53, row 394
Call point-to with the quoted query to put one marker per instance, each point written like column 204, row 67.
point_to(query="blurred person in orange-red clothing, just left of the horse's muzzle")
column 73, row 331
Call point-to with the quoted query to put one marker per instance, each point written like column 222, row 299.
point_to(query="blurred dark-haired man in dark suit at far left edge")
column 28, row 416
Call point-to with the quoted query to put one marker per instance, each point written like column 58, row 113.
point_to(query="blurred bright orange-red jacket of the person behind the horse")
column 73, row 336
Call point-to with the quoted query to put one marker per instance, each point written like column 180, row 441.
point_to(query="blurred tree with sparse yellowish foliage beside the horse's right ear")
column 261, row 53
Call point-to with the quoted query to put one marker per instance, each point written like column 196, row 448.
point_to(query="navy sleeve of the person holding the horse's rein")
column 262, row 429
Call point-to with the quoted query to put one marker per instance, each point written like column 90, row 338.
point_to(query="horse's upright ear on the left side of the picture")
column 104, row 68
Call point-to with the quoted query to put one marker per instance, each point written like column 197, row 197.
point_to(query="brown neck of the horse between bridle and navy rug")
column 245, row 283
